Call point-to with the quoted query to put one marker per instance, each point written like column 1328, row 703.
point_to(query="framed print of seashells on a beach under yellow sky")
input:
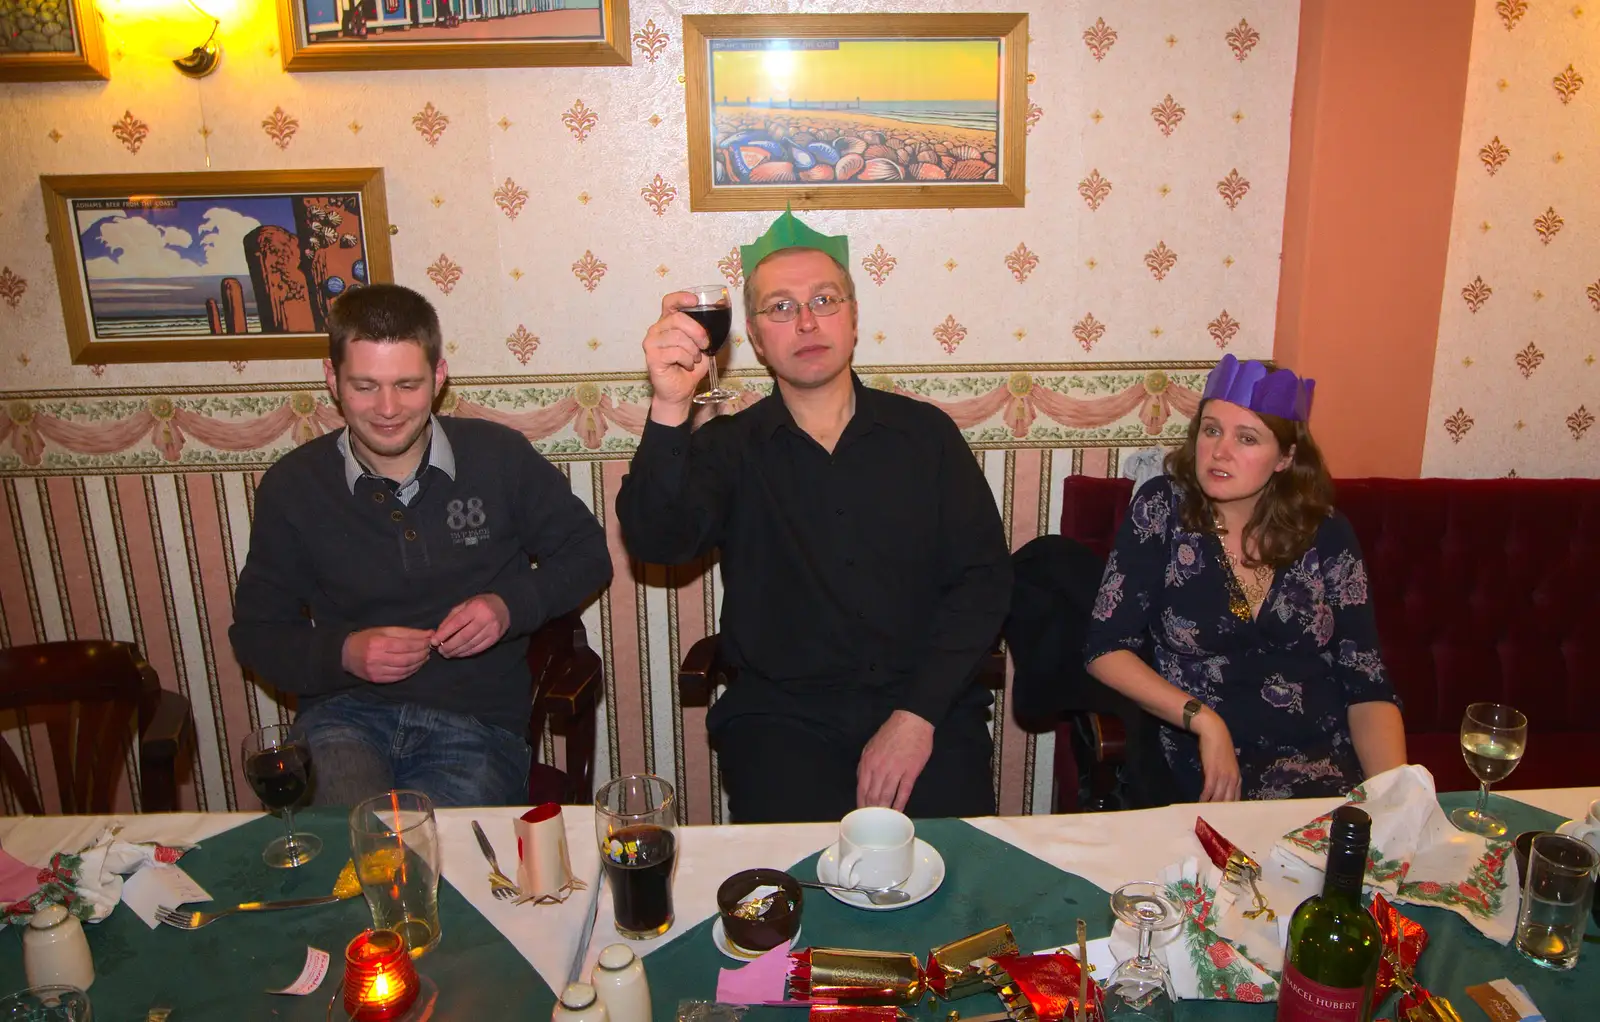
column 855, row 111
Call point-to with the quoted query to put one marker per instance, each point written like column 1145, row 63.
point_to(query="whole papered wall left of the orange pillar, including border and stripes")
column 546, row 212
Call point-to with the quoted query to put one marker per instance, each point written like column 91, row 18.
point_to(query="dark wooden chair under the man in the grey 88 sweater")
column 567, row 681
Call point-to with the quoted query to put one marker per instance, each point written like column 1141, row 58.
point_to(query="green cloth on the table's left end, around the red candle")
column 222, row 973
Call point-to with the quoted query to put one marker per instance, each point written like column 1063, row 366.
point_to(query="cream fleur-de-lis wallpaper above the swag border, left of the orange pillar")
column 546, row 210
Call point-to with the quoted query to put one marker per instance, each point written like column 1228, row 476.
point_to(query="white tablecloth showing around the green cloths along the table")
column 1105, row 848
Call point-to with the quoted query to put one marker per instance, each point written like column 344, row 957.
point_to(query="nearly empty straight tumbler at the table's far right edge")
column 1556, row 901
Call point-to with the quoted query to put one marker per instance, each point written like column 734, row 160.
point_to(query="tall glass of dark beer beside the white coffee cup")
column 638, row 848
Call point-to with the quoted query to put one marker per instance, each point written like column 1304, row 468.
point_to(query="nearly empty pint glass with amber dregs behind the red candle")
column 394, row 840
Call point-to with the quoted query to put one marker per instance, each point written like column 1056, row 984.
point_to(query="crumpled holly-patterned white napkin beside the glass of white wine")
column 1418, row 858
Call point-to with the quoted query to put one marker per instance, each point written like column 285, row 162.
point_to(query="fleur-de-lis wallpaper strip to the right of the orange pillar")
column 1518, row 369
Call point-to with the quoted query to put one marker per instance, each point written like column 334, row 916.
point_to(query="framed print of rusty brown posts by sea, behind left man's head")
column 207, row 268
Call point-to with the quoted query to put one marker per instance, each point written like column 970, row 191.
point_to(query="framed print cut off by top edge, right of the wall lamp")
column 409, row 34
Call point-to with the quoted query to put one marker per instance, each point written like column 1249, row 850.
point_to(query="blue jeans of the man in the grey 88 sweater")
column 361, row 749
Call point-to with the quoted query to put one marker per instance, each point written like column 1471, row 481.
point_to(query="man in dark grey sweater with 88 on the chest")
column 390, row 578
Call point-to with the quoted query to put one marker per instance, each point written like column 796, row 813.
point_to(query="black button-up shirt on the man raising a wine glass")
column 882, row 565
